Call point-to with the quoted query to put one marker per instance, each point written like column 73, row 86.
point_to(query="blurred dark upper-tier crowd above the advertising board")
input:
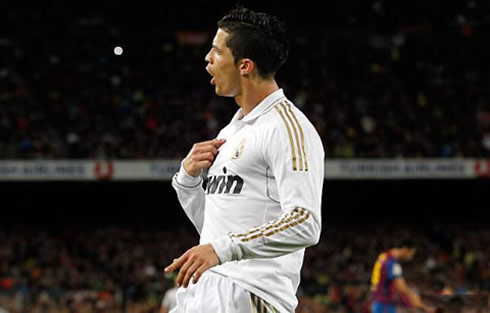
column 378, row 80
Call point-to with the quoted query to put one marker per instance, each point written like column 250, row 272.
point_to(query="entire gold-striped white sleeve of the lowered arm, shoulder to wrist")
column 295, row 154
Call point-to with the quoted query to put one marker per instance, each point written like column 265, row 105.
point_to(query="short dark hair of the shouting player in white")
column 257, row 36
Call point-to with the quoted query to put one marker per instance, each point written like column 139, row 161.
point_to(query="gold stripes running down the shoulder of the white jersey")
column 293, row 127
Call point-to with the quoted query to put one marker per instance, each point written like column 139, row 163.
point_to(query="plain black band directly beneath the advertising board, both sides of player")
column 410, row 202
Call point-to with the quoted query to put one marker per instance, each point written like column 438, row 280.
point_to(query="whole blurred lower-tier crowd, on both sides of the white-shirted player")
column 119, row 269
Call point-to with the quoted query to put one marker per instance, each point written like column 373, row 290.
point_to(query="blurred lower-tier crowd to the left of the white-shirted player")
column 89, row 270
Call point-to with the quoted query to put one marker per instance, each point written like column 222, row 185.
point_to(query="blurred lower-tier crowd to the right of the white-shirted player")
column 450, row 260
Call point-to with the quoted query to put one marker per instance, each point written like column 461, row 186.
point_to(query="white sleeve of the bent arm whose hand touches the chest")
column 191, row 196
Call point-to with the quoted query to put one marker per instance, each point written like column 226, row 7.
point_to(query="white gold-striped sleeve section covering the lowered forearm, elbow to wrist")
column 292, row 231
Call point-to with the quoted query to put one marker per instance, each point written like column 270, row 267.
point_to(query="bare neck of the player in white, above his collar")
column 252, row 93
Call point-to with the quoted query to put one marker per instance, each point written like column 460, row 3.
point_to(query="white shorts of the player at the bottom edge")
column 218, row 294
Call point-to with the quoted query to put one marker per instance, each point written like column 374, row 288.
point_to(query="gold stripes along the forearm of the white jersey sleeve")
column 295, row 217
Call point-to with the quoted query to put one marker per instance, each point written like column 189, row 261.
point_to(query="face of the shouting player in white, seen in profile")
column 221, row 65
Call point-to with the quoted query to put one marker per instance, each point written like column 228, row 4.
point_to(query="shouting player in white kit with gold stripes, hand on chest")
column 261, row 205
